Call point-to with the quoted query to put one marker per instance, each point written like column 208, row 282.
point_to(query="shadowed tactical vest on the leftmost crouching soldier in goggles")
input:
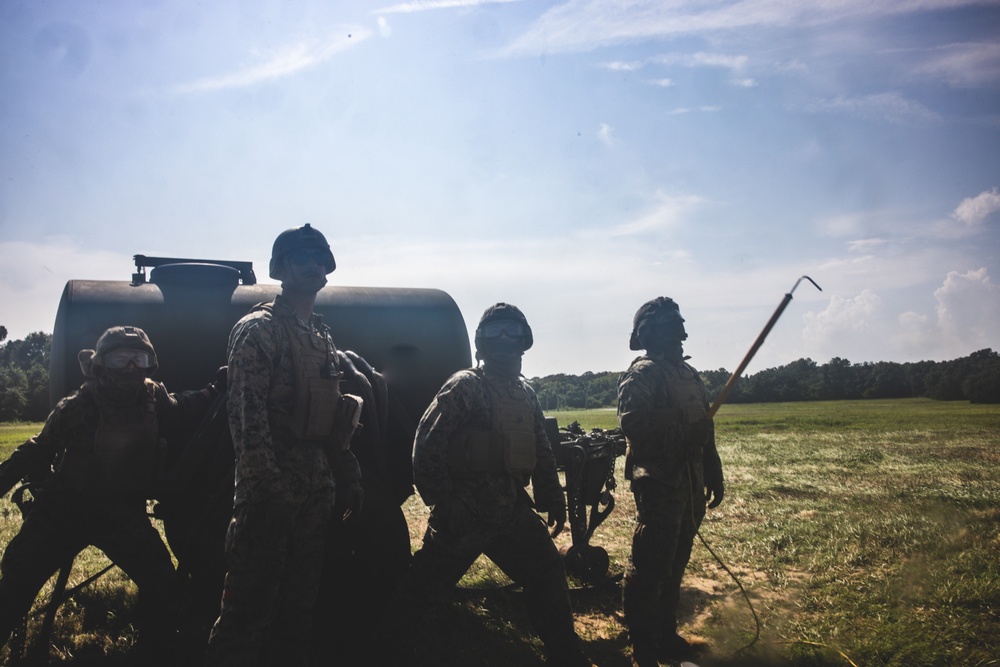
column 126, row 454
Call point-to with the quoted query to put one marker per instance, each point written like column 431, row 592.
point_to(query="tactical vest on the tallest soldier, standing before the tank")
column 316, row 379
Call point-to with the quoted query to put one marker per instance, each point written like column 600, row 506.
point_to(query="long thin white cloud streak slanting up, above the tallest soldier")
column 291, row 60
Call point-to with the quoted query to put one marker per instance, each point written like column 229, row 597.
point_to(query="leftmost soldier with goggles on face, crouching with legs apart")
column 96, row 461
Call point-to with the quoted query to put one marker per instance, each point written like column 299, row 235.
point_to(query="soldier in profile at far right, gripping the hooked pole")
column 674, row 470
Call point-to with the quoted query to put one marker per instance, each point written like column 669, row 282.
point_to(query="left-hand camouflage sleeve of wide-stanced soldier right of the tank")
column 447, row 413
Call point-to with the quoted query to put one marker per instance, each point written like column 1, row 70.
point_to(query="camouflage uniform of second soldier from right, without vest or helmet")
column 490, row 513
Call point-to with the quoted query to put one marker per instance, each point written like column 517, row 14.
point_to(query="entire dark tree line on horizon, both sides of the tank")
column 24, row 381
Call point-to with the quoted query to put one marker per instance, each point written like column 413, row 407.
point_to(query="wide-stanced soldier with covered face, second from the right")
column 477, row 446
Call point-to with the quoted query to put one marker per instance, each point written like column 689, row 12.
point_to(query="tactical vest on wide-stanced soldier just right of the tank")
column 508, row 445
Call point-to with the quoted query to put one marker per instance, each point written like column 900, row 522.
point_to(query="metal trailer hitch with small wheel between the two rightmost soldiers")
column 588, row 461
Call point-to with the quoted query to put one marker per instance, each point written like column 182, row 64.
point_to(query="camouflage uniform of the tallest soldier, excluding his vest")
column 283, row 499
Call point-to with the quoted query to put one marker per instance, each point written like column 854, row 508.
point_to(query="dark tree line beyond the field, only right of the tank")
column 974, row 378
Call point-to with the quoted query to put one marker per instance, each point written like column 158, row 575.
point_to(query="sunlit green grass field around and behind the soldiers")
column 863, row 532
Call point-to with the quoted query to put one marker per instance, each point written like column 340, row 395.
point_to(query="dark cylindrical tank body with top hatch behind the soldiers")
column 415, row 337
